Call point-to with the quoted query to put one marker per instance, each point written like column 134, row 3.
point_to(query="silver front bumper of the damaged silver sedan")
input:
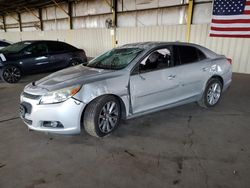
column 68, row 113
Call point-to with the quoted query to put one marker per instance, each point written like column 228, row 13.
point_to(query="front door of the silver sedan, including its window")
column 153, row 83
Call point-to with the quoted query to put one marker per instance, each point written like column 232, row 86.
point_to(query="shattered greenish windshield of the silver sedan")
column 115, row 59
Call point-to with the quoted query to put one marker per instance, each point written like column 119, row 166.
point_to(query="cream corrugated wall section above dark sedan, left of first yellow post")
column 93, row 41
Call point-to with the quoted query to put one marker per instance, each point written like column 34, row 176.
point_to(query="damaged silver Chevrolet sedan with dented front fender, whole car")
column 125, row 82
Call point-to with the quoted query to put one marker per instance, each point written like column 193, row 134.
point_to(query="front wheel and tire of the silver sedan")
column 97, row 121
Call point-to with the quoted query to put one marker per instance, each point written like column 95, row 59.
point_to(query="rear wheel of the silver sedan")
column 212, row 93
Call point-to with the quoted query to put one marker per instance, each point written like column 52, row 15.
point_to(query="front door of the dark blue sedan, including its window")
column 35, row 58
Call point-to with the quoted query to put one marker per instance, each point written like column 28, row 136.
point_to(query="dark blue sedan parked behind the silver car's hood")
column 28, row 57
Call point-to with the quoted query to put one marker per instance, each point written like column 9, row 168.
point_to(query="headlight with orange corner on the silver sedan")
column 59, row 95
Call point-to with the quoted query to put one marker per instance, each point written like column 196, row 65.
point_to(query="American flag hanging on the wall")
column 231, row 18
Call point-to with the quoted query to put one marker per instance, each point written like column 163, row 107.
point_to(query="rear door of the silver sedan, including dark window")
column 192, row 68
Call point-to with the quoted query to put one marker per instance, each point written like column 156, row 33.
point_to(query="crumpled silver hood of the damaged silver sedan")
column 69, row 77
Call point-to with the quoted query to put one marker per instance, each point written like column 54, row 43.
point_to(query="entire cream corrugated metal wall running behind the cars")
column 96, row 41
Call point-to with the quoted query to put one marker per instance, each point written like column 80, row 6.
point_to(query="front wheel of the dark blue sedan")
column 11, row 74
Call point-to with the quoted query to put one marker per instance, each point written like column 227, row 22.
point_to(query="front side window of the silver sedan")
column 158, row 59
